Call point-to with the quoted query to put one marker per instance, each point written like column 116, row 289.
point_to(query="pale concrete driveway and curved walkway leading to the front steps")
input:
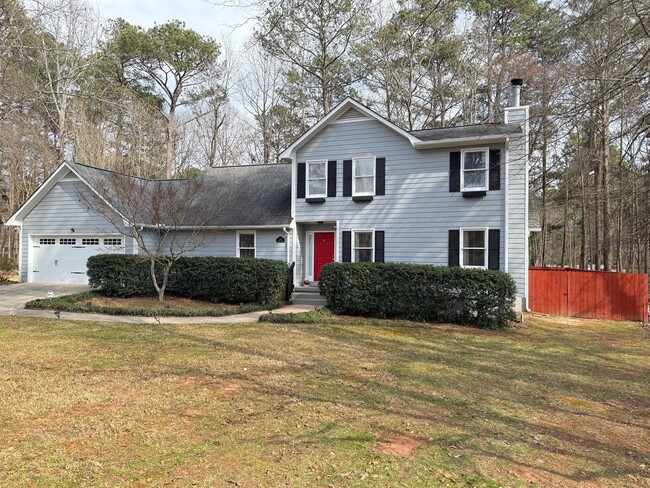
column 14, row 297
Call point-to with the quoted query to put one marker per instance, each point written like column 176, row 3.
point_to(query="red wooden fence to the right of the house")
column 589, row 294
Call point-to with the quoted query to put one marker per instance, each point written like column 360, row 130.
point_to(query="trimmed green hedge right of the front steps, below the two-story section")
column 477, row 297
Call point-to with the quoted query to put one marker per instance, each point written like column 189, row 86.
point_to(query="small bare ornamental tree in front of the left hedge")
column 166, row 218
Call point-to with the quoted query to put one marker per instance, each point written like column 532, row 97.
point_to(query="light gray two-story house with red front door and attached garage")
column 357, row 188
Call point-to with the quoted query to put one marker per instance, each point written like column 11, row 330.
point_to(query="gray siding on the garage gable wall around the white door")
column 57, row 213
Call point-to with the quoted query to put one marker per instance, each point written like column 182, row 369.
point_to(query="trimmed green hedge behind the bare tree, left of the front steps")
column 219, row 279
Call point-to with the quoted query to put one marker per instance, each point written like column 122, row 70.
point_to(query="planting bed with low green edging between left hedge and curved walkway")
column 144, row 306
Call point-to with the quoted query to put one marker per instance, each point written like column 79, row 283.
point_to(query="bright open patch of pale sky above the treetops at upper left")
column 205, row 18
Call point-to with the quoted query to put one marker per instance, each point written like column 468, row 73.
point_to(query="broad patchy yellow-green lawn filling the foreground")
column 559, row 402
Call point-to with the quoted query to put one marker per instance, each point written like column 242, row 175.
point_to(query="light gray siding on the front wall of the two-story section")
column 417, row 210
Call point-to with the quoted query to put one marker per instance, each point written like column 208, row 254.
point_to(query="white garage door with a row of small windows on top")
column 62, row 259
